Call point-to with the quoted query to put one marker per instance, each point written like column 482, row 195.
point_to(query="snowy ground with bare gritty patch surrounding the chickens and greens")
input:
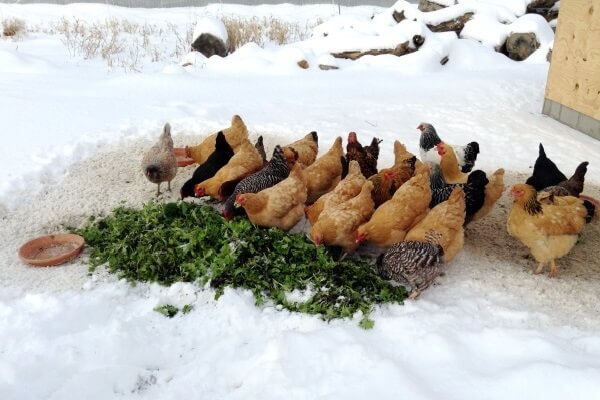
column 73, row 133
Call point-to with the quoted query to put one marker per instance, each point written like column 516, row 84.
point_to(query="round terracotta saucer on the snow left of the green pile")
column 51, row 250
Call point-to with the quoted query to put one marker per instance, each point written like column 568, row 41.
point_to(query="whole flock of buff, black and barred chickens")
column 416, row 209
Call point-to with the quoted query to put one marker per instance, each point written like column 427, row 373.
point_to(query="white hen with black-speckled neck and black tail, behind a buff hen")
column 466, row 155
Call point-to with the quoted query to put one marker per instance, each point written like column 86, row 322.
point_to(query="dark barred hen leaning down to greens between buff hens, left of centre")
column 276, row 170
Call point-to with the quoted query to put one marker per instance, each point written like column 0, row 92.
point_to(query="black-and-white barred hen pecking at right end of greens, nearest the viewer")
column 412, row 264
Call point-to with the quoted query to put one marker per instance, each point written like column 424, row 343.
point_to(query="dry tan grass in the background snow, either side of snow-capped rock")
column 126, row 45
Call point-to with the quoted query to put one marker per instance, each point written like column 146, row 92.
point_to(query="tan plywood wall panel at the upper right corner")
column 574, row 77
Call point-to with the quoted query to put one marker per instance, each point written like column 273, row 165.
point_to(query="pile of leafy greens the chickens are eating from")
column 188, row 242
